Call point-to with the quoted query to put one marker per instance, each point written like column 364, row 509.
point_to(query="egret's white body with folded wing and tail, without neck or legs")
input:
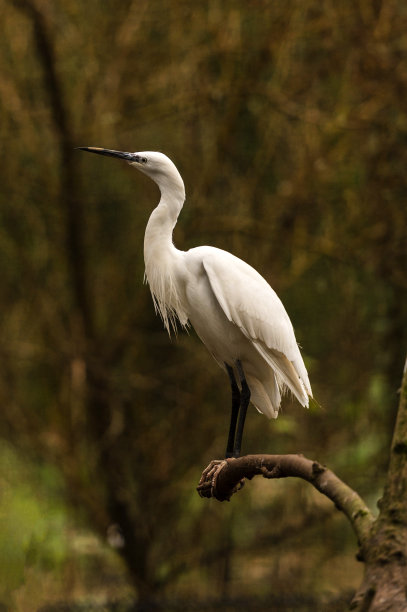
column 254, row 329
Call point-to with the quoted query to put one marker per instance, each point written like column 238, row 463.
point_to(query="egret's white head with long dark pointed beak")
column 156, row 165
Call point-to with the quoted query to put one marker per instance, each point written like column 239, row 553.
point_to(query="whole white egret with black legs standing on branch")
column 234, row 311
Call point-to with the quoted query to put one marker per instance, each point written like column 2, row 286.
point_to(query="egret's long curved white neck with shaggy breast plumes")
column 160, row 254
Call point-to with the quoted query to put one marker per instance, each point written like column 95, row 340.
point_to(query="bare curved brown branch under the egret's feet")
column 221, row 479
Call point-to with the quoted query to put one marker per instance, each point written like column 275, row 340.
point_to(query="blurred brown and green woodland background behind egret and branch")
column 288, row 123
